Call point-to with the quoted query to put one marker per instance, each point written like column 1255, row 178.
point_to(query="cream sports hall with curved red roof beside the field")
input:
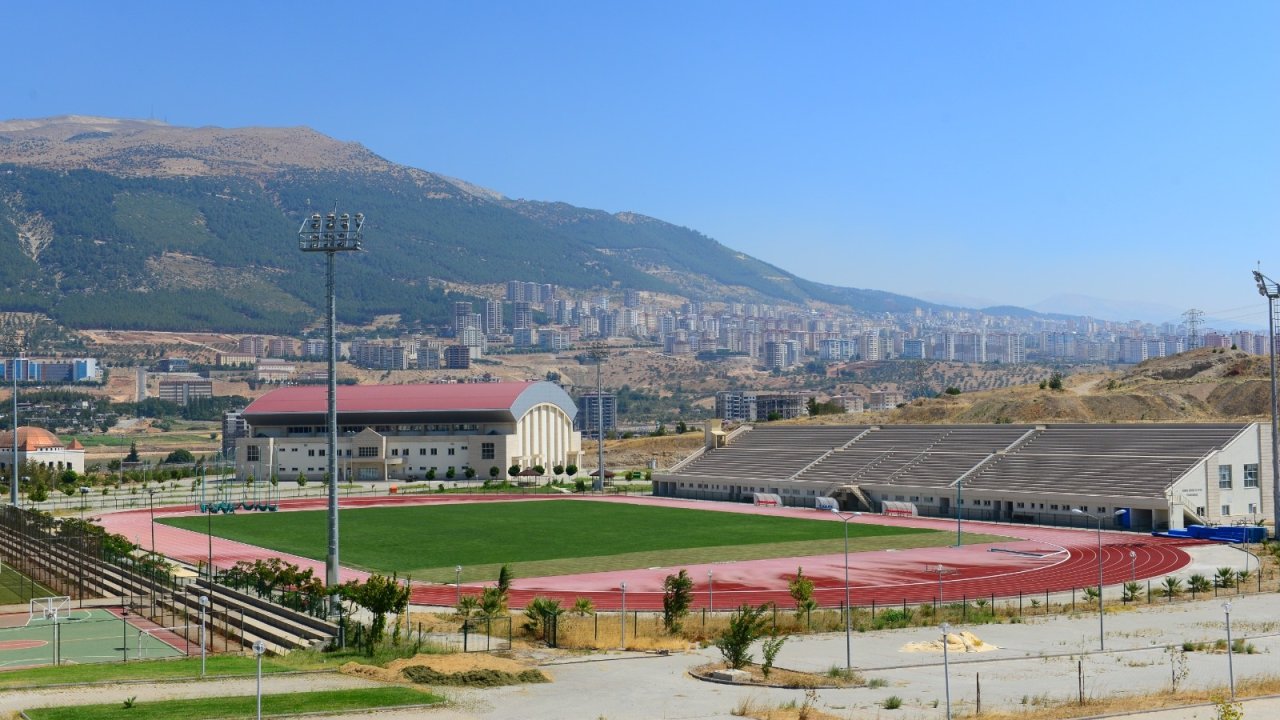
column 403, row 432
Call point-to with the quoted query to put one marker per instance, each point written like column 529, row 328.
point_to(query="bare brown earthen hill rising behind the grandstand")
column 1197, row 386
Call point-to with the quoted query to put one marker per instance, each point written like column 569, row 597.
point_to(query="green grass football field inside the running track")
column 551, row 537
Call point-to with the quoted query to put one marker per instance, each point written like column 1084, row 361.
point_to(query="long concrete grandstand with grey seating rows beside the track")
column 1136, row 477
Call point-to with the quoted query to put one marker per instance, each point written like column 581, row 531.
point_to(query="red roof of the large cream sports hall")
column 391, row 399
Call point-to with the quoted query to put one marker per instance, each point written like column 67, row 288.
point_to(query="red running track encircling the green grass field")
column 1036, row 560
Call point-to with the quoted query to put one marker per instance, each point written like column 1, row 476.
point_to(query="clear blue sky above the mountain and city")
column 986, row 153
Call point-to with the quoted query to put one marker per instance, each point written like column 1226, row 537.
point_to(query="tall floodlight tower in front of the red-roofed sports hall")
column 331, row 235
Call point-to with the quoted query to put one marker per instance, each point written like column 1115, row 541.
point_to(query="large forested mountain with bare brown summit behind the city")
column 140, row 225
